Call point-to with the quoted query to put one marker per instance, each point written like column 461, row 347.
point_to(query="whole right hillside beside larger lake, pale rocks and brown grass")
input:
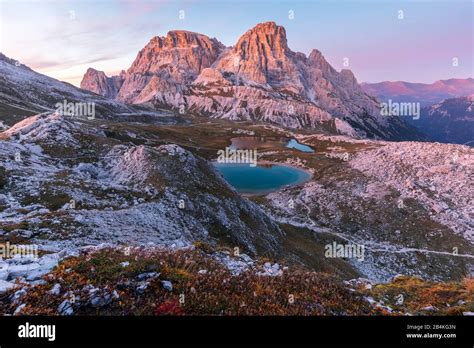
column 408, row 204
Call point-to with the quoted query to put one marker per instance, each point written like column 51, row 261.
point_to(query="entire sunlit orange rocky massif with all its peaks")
column 260, row 78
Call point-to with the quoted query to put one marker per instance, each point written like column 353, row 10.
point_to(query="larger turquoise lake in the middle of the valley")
column 261, row 179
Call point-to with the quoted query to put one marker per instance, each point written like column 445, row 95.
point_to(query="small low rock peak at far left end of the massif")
column 97, row 82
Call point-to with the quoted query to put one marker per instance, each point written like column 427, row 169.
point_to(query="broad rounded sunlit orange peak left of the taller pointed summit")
column 170, row 62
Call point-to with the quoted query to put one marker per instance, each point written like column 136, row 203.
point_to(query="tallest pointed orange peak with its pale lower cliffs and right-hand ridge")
column 285, row 87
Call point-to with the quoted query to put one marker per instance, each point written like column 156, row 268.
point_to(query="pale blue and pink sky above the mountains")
column 379, row 40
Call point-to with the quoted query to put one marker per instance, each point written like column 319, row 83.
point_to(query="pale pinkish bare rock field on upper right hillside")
column 436, row 175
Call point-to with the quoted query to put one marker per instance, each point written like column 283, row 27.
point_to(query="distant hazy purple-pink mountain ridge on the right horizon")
column 426, row 94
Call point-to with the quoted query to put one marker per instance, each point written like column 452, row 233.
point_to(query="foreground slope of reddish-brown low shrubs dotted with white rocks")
column 202, row 281
